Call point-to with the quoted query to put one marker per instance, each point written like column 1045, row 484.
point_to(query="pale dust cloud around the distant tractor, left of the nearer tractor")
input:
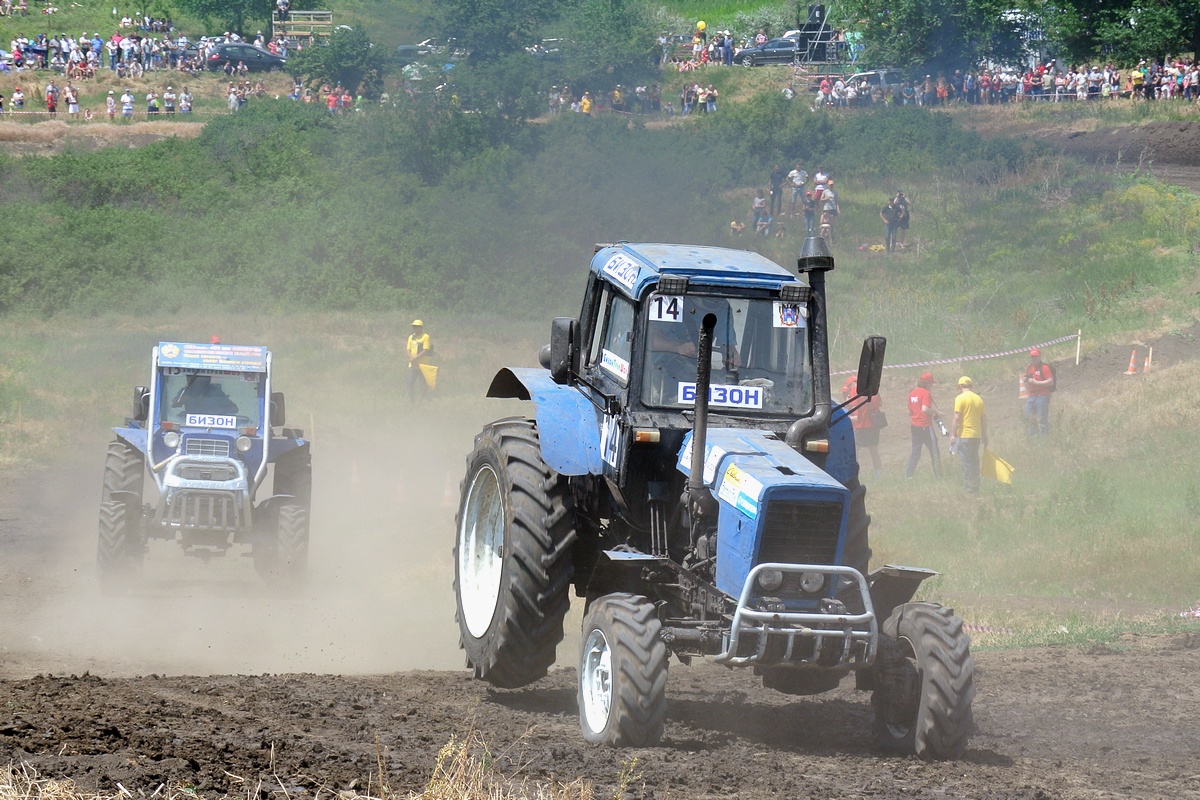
column 379, row 598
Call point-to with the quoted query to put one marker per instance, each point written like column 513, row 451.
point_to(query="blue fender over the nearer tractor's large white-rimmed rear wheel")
column 568, row 423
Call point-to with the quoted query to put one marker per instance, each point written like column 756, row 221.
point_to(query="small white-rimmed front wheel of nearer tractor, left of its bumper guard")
column 623, row 673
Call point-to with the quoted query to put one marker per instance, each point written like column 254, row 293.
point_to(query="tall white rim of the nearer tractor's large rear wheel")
column 482, row 551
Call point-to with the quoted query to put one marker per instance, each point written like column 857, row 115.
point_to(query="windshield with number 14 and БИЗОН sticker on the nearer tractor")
column 761, row 363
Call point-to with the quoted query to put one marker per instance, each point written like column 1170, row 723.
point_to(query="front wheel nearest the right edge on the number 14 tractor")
column 926, row 683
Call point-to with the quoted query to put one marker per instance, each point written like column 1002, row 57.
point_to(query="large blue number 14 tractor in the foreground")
column 688, row 473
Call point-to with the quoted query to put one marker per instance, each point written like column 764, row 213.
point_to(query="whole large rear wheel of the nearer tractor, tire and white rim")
column 513, row 557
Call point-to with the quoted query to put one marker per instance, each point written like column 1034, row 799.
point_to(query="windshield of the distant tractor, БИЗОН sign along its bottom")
column 212, row 400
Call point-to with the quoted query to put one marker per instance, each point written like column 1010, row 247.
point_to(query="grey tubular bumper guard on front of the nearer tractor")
column 827, row 630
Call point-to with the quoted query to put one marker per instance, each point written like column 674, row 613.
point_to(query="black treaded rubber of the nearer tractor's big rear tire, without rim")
column 520, row 645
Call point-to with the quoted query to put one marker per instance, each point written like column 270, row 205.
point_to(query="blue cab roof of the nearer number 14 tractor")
column 634, row 267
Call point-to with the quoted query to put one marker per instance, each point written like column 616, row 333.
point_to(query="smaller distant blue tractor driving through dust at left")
column 206, row 432
